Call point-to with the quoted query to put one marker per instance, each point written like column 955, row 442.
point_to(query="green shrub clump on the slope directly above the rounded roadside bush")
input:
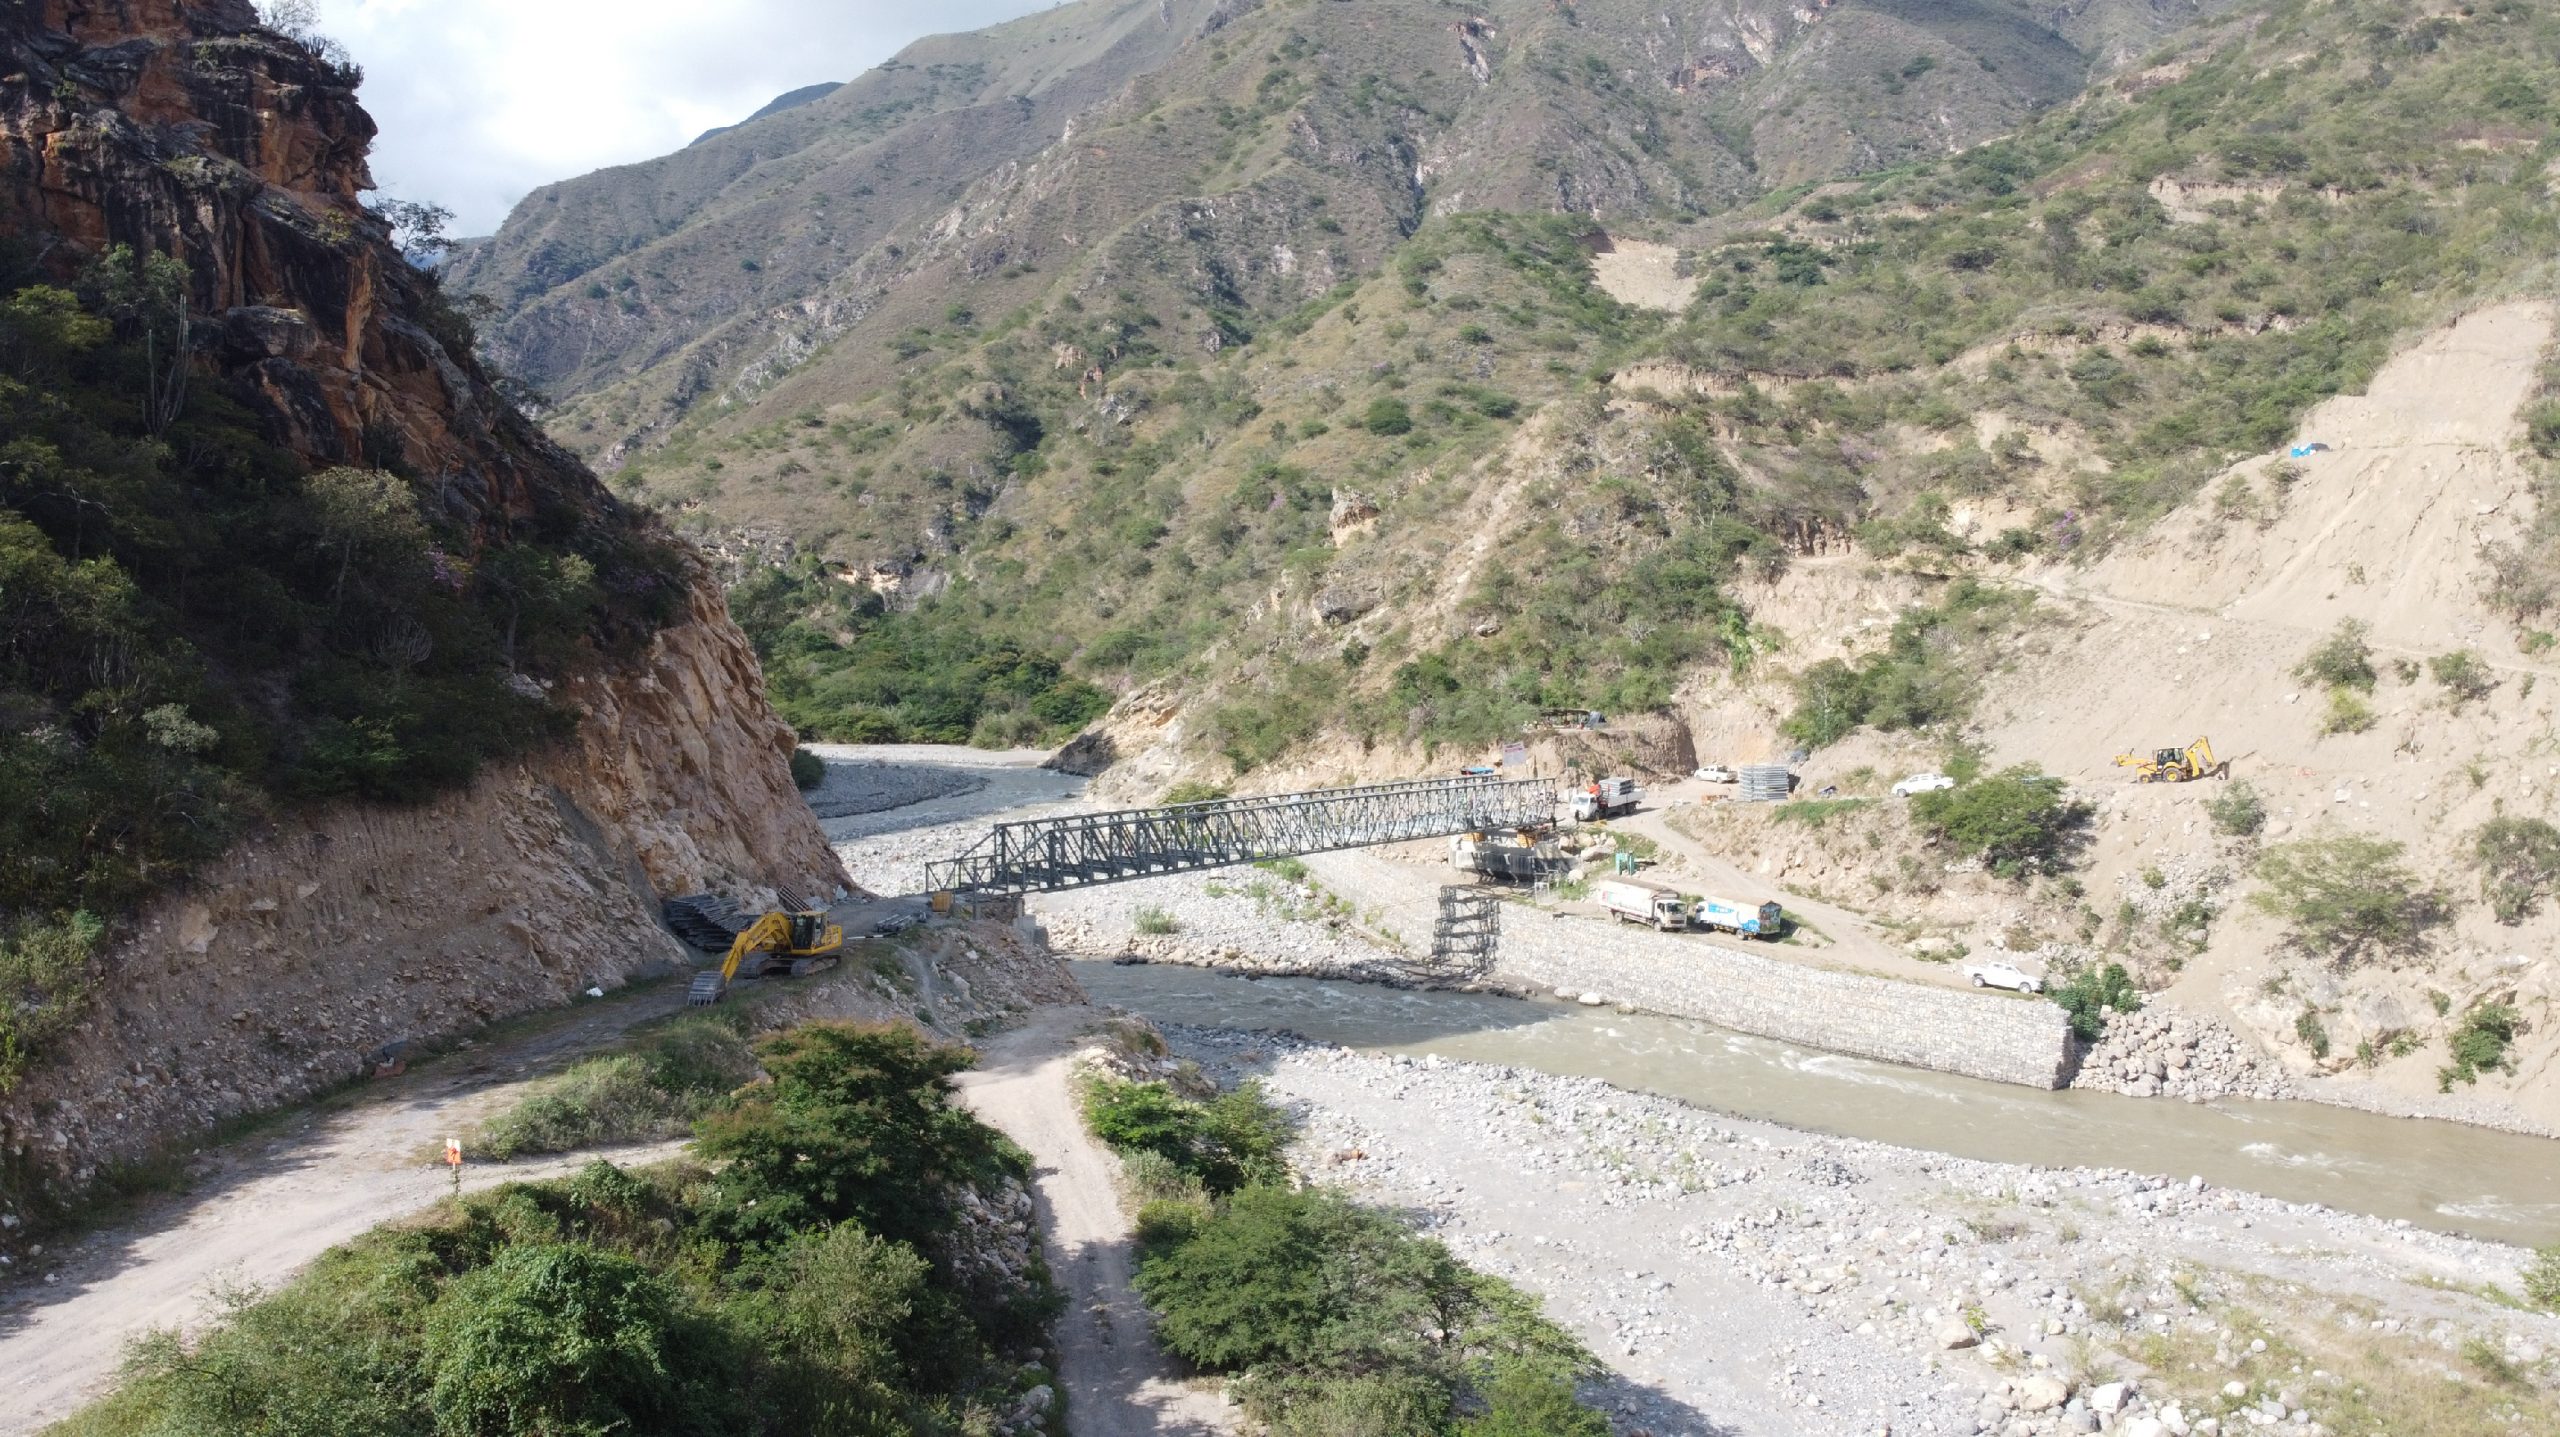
column 1929, row 670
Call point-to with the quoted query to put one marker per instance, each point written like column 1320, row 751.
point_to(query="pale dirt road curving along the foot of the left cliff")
column 262, row 1210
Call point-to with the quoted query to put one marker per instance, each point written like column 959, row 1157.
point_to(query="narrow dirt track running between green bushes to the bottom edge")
column 1117, row 1382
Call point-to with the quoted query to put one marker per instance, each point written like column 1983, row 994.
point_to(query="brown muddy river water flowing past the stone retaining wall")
column 2436, row 1174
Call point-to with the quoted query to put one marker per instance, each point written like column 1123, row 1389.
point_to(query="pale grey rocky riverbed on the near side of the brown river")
column 1745, row 1277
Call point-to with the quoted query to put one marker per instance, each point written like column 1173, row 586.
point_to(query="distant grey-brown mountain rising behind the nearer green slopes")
column 703, row 275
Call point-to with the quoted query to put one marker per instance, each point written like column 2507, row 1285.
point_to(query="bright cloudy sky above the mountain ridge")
column 480, row 101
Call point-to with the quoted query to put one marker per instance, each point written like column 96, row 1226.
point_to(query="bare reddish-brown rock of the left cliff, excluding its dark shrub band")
column 316, row 944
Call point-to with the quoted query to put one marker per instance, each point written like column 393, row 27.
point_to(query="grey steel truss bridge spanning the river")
column 1140, row 844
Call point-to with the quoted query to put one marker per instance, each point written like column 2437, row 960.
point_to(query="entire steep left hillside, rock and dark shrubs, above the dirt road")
column 344, row 711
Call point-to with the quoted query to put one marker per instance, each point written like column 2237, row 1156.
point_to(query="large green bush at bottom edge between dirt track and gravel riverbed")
column 1348, row 1323
